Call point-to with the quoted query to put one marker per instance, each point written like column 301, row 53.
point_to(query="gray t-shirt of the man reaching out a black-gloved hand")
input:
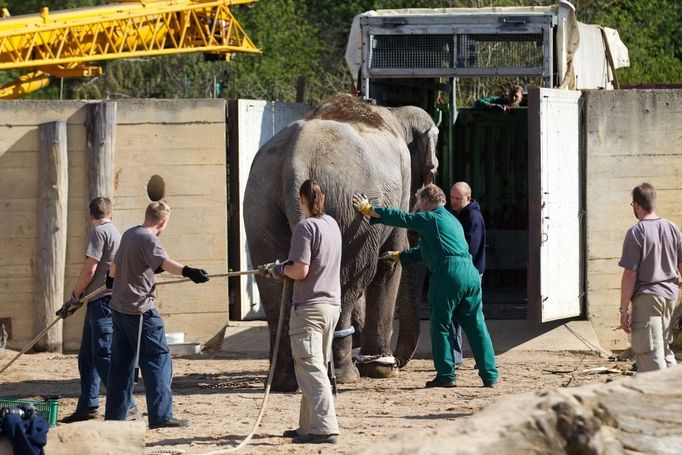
column 138, row 256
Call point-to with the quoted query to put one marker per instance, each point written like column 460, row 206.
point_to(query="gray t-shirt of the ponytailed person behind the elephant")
column 316, row 241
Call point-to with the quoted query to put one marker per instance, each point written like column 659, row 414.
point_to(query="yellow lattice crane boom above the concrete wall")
column 65, row 43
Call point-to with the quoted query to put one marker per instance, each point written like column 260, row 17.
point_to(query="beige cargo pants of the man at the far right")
column 652, row 332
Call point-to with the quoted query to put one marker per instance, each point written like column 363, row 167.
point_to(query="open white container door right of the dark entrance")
column 555, row 208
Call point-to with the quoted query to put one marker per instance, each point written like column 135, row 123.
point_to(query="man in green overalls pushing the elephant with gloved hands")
column 455, row 285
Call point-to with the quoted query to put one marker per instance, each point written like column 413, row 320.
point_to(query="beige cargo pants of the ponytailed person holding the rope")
column 311, row 329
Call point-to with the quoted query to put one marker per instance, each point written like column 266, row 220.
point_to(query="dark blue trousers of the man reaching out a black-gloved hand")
column 155, row 365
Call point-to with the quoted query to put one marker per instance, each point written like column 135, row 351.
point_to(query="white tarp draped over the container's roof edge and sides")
column 581, row 50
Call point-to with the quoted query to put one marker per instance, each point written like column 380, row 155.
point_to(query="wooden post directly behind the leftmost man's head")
column 101, row 135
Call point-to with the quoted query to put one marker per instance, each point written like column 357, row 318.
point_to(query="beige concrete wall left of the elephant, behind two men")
column 183, row 141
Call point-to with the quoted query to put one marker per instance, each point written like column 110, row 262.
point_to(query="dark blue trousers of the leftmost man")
column 94, row 355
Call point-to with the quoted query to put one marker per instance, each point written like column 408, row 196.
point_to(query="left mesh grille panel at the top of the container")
column 411, row 51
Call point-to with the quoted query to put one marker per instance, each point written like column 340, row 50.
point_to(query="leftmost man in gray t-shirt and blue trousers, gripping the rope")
column 95, row 351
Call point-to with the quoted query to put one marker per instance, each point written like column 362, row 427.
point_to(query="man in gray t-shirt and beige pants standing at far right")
column 651, row 259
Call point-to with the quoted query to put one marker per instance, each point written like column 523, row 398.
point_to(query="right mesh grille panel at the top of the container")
column 499, row 51
